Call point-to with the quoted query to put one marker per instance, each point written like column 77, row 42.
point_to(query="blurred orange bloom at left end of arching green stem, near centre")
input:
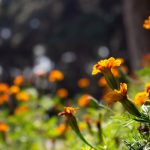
column 84, row 100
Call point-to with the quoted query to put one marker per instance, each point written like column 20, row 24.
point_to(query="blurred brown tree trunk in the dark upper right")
column 138, row 39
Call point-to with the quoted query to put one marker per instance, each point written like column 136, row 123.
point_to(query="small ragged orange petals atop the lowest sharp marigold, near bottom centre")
column 68, row 111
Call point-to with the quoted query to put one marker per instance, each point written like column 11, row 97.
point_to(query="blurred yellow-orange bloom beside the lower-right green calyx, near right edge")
column 140, row 98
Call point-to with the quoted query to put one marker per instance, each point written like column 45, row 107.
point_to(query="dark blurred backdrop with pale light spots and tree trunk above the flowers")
column 70, row 35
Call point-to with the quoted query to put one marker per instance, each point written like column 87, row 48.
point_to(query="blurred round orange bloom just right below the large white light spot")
column 56, row 75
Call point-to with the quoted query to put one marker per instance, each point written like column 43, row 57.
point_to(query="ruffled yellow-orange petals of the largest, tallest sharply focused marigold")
column 107, row 64
